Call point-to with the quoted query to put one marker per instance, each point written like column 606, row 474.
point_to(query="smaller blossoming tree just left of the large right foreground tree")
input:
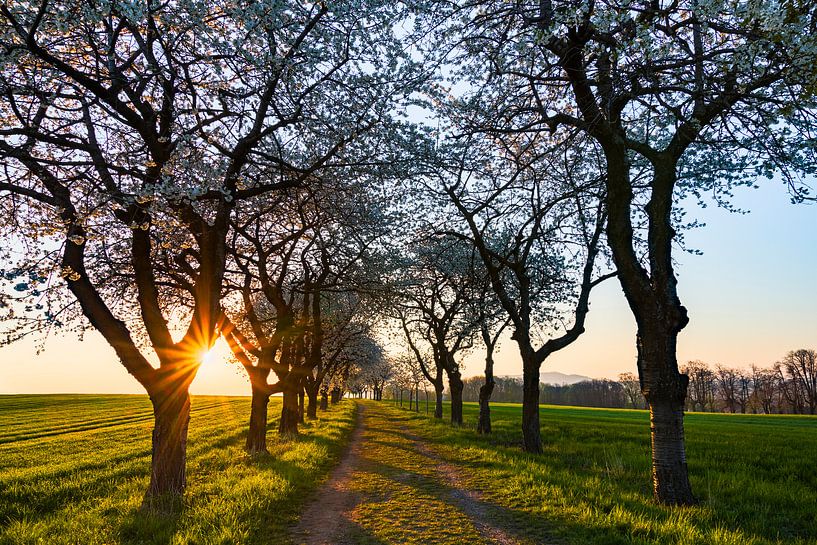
column 536, row 225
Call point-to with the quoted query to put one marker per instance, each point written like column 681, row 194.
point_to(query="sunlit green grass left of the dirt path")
column 73, row 470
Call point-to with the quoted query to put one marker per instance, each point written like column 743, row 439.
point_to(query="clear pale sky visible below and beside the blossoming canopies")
column 751, row 297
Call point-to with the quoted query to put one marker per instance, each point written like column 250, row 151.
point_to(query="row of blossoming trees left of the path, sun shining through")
column 180, row 168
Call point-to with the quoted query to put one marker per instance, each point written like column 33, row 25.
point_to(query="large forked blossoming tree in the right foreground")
column 684, row 98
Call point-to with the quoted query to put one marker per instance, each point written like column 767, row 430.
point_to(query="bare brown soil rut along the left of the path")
column 326, row 520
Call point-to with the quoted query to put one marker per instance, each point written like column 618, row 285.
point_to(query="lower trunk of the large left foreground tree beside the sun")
column 168, row 456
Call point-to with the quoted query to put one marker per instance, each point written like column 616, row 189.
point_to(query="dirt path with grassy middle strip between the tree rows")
column 391, row 487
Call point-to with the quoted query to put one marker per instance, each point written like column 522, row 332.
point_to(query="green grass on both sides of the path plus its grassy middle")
column 73, row 470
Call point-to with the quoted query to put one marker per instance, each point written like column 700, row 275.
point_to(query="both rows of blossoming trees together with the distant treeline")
column 318, row 184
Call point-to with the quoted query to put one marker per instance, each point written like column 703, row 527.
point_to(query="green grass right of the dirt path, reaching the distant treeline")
column 755, row 476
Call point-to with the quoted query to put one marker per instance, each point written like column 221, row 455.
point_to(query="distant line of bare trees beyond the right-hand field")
column 787, row 387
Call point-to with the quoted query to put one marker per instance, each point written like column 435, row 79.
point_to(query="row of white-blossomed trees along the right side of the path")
column 588, row 121
